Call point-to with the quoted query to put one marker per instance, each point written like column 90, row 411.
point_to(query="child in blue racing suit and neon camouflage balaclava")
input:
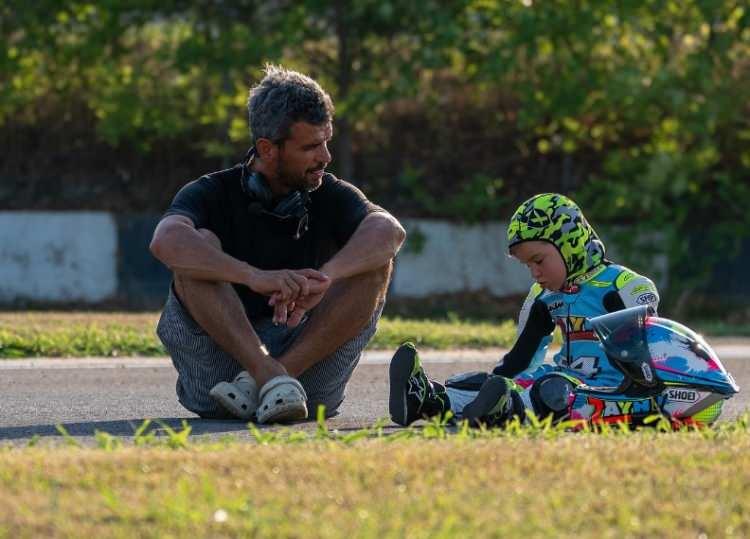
column 573, row 282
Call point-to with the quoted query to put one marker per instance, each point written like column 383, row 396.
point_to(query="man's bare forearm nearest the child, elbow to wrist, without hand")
column 376, row 240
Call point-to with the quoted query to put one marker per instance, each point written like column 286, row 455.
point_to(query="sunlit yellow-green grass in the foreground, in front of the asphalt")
column 535, row 481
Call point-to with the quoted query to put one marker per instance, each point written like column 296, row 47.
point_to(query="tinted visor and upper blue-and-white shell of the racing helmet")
column 652, row 351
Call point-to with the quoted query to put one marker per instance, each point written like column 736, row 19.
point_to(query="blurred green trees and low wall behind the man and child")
column 449, row 114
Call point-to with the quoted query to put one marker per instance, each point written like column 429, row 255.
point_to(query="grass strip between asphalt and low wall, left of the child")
column 77, row 334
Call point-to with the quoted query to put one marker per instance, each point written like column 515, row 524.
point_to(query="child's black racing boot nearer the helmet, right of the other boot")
column 496, row 403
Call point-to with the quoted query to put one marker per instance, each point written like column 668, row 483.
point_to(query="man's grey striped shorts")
column 201, row 364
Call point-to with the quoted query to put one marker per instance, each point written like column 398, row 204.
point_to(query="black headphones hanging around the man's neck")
column 291, row 209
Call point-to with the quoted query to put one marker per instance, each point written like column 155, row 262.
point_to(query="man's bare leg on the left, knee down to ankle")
column 217, row 308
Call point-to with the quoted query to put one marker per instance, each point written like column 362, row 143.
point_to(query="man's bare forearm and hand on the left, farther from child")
column 179, row 246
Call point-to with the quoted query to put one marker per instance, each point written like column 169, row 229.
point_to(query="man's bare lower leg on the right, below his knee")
column 343, row 313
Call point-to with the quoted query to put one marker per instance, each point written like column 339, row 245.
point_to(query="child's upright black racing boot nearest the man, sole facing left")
column 412, row 395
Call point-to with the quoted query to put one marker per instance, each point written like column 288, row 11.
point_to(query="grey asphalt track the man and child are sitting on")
column 116, row 395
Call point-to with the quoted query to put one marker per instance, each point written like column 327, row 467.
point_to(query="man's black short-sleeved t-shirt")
column 217, row 202
